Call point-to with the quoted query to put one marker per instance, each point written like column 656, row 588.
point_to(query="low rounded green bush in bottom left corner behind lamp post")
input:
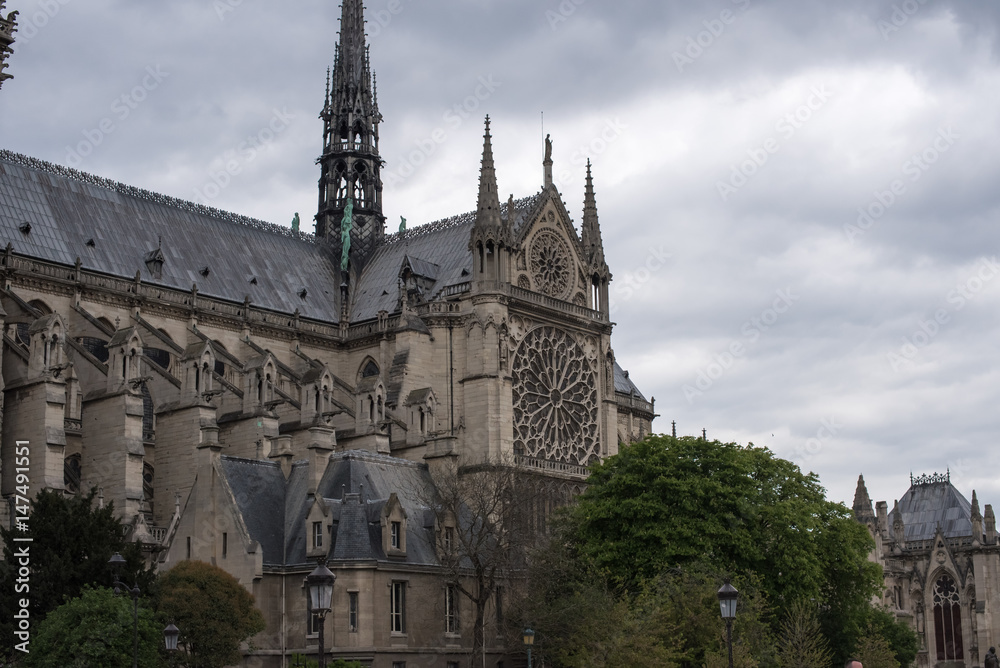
column 95, row 629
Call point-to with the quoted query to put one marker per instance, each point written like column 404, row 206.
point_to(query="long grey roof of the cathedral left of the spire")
column 66, row 209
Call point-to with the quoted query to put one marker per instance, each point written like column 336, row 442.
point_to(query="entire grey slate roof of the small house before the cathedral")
column 355, row 487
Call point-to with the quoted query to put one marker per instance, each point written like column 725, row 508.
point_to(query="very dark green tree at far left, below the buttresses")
column 72, row 541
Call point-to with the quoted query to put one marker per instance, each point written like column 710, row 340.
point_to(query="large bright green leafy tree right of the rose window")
column 667, row 502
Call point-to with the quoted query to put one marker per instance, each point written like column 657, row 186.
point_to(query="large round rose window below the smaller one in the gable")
column 555, row 399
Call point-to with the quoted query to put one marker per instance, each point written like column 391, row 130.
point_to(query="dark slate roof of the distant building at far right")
column 925, row 506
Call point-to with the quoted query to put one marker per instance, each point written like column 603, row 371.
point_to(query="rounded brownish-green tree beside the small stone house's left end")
column 212, row 610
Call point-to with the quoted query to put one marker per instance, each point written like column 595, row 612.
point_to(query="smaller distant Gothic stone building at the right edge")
column 941, row 563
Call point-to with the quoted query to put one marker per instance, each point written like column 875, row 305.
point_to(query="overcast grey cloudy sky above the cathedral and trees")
column 800, row 199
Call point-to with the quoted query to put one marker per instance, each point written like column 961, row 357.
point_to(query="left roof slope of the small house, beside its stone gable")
column 259, row 488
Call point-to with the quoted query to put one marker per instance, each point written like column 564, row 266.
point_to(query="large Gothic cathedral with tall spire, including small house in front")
column 258, row 397
